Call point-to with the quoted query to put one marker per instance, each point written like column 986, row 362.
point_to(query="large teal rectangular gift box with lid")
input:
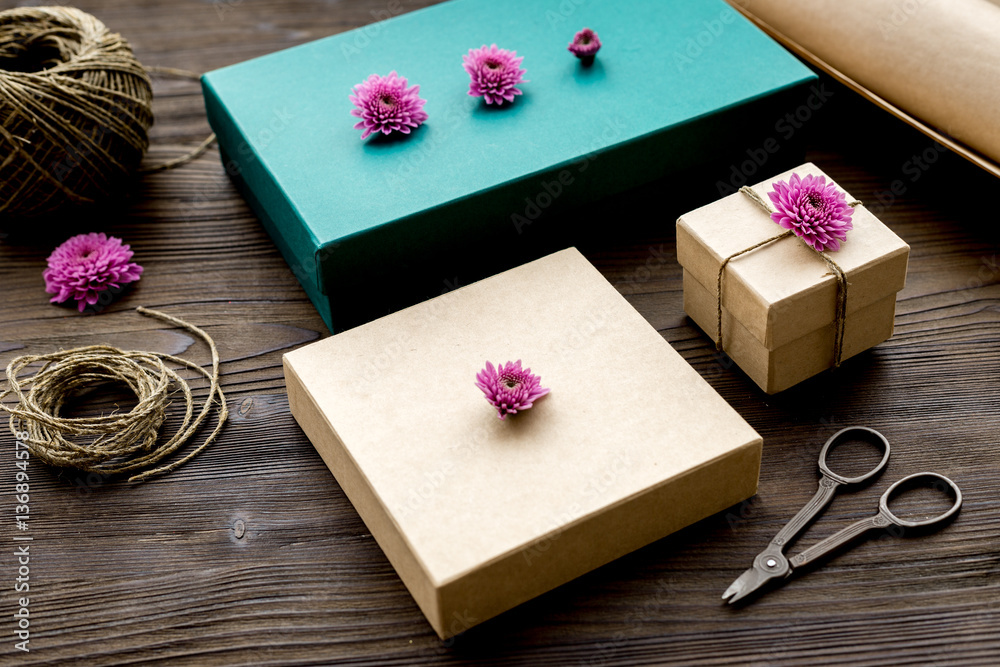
column 677, row 85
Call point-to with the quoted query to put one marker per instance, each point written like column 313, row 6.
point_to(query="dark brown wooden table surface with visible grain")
column 251, row 554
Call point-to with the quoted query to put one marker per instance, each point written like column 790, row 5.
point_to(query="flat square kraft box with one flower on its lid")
column 477, row 514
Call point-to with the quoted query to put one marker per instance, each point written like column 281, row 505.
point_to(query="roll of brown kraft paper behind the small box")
column 937, row 60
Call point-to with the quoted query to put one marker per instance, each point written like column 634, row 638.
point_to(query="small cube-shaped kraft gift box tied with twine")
column 787, row 312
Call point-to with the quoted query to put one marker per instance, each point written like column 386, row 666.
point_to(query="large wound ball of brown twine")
column 75, row 109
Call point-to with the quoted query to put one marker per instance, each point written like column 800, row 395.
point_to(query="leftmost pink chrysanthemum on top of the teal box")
column 384, row 104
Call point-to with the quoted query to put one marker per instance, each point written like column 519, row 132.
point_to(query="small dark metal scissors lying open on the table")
column 772, row 564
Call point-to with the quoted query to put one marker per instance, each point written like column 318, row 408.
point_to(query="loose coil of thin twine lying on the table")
column 122, row 443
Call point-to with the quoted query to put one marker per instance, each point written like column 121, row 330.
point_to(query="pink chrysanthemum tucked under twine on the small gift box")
column 813, row 209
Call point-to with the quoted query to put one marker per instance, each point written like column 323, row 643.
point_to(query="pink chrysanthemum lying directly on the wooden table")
column 86, row 265
